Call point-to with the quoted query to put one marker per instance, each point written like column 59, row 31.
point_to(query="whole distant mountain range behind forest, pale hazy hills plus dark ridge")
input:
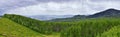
column 106, row 13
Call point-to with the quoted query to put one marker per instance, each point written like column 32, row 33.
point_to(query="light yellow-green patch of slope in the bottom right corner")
column 113, row 32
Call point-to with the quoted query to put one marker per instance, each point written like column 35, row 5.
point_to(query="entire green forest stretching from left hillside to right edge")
column 83, row 28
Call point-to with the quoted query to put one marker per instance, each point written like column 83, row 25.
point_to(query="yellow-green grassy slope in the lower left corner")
column 12, row 29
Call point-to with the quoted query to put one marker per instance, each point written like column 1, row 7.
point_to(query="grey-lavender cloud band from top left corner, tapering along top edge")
column 13, row 4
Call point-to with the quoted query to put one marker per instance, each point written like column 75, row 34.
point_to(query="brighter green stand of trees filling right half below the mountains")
column 91, row 27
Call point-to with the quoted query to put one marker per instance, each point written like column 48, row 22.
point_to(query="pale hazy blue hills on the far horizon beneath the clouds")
column 49, row 17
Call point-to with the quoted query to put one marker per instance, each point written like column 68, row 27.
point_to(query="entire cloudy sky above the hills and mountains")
column 56, row 7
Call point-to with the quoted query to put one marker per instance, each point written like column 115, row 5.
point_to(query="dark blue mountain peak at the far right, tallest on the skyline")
column 107, row 13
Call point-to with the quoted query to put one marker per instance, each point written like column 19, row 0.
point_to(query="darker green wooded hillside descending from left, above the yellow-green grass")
column 42, row 27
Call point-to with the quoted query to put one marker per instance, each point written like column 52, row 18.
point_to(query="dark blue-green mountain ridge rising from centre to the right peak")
column 107, row 13
